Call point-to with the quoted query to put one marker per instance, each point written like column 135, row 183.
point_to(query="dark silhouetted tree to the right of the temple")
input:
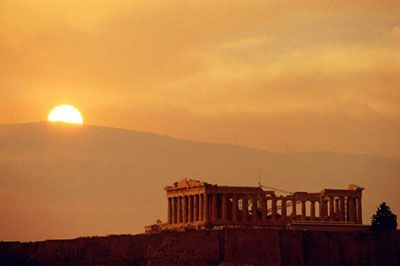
column 384, row 219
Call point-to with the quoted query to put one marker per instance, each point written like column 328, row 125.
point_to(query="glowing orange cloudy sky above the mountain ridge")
column 286, row 76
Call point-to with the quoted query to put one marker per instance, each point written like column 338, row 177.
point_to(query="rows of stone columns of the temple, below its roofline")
column 225, row 208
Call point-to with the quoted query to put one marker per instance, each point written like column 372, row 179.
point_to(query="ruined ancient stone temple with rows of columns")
column 195, row 204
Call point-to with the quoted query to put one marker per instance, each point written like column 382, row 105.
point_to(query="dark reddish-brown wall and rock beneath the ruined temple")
column 212, row 247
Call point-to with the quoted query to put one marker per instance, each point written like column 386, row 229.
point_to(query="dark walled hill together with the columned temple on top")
column 222, row 225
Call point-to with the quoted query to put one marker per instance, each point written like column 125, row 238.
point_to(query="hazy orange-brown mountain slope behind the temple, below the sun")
column 64, row 181
